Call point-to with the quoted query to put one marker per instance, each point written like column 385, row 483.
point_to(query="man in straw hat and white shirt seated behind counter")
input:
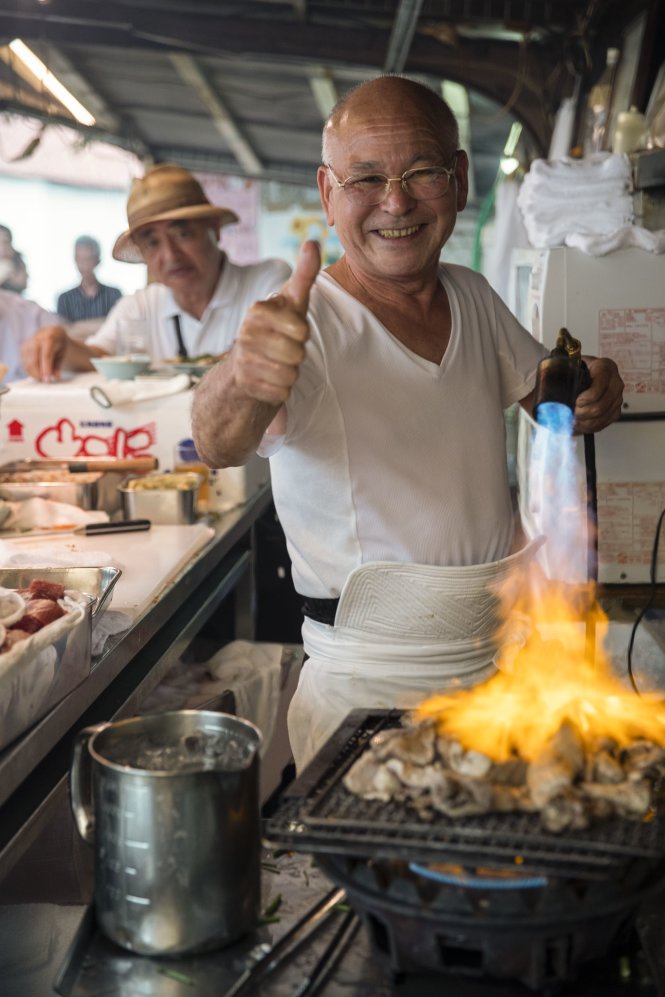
column 197, row 298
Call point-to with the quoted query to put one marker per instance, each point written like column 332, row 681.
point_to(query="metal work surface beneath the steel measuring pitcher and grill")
column 45, row 943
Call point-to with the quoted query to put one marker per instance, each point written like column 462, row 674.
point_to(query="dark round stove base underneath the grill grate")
column 522, row 935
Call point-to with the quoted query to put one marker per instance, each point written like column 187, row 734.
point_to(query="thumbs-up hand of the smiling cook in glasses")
column 271, row 344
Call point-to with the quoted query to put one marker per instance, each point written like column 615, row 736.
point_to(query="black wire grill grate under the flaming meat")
column 318, row 814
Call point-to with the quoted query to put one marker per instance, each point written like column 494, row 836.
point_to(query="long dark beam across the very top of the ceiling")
column 490, row 67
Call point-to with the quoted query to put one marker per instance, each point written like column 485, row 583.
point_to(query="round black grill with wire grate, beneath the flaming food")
column 492, row 895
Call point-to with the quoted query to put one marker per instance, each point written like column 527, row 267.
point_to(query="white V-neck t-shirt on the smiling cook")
column 389, row 457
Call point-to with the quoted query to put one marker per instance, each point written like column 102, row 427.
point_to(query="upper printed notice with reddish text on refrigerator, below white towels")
column 635, row 339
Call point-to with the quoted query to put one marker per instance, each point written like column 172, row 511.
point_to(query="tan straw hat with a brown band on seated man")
column 166, row 193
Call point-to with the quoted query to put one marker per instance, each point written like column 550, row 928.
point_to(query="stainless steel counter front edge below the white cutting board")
column 33, row 769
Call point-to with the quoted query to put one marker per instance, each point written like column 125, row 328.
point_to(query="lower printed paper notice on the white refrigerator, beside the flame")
column 627, row 519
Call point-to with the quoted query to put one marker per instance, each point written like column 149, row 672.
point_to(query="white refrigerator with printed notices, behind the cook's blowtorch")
column 615, row 305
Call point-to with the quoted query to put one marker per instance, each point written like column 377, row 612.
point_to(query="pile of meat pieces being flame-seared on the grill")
column 570, row 783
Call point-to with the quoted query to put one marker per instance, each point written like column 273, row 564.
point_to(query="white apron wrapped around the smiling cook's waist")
column 402, row 632
